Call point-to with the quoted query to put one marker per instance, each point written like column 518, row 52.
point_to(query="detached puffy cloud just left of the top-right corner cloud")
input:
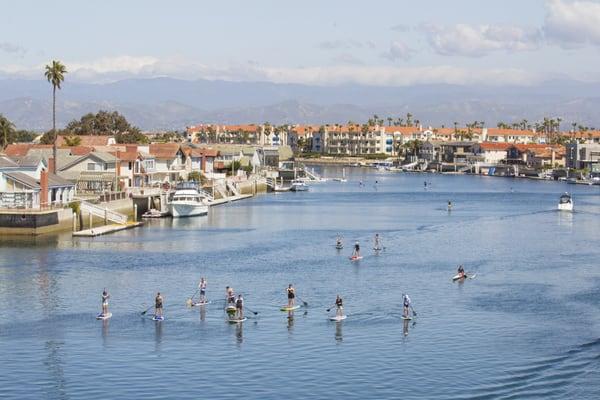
column 480, row 40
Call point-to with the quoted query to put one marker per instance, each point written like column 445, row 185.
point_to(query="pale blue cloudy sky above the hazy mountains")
column 318, row 42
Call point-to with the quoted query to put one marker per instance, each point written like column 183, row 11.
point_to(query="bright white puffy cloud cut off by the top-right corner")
column 572, row 24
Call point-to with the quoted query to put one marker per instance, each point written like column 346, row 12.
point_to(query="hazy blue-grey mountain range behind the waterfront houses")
column 165, row 103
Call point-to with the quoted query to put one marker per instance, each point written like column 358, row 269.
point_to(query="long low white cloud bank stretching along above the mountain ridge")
column 117, row 68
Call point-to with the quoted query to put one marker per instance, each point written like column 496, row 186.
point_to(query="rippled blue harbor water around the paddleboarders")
column 527, row 326
